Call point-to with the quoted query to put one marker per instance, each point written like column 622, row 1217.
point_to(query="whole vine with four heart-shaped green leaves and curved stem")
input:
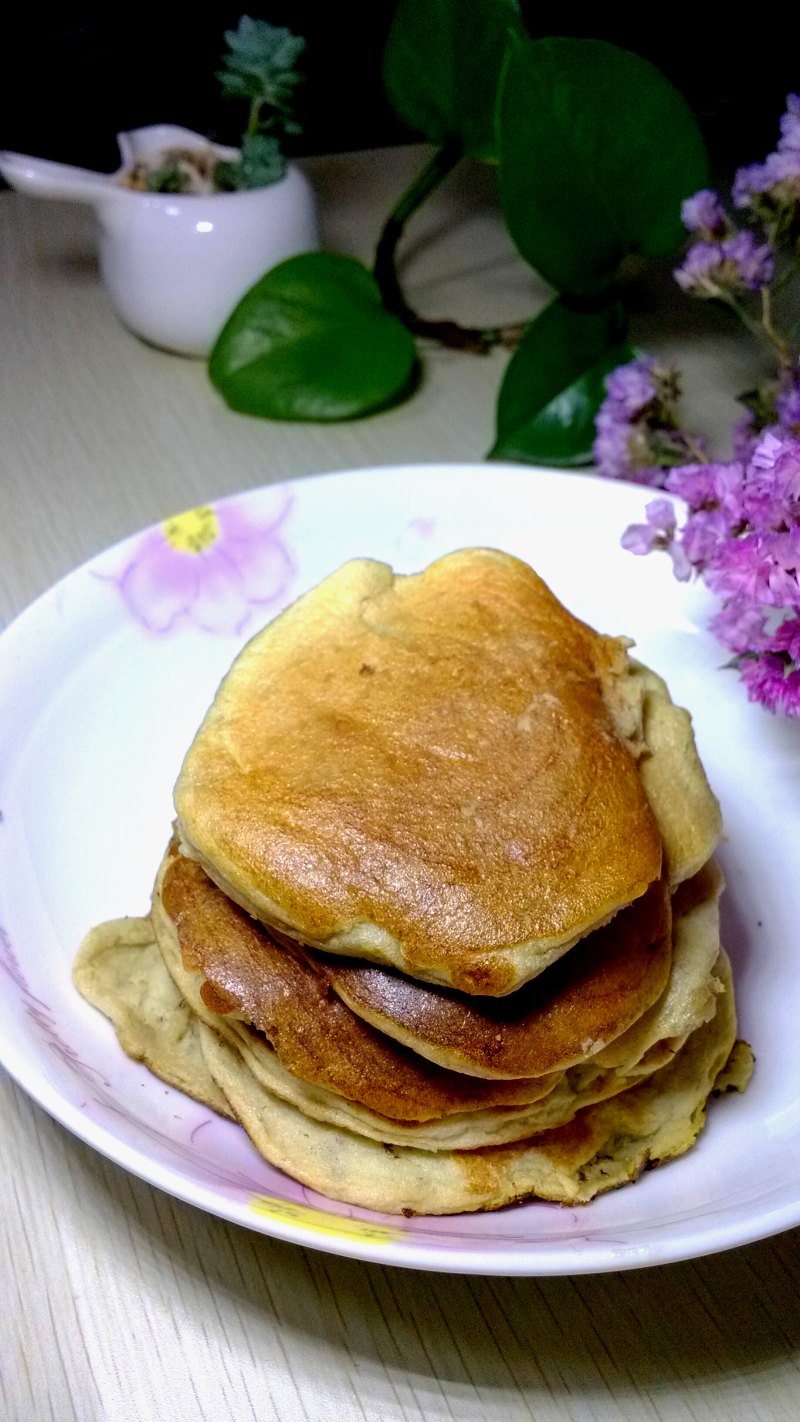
column 595, row 154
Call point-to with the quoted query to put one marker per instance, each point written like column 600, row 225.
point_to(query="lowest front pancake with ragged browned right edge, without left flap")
column 602, row 1148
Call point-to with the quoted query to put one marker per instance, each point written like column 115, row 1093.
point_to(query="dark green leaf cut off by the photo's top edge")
column 443, row 66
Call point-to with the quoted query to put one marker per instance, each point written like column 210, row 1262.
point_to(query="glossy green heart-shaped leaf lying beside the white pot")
column 313, row 342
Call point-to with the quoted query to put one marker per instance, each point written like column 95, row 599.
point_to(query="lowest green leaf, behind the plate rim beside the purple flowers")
column 555, row 385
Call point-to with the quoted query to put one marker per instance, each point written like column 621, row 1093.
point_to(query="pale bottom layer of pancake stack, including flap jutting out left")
column 121, row 971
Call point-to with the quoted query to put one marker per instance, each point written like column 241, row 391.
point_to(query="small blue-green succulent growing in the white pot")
column 262, row 68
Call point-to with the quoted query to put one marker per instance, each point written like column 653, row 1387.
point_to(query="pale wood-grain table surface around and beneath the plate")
column 120, row 1302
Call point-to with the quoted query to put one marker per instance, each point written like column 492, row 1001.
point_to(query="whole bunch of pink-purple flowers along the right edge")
column 742, row 531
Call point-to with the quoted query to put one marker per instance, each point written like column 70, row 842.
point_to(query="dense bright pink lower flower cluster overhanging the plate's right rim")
column 742, row 537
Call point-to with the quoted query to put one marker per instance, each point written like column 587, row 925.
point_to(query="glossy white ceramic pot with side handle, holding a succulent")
column 175, row 265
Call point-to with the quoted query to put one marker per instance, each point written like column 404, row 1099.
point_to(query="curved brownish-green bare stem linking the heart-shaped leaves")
column 448, row 333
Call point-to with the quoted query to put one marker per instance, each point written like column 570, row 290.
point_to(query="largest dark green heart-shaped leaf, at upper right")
column 598, row 151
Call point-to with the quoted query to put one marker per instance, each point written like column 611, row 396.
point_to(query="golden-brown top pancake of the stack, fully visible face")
column 438, row 773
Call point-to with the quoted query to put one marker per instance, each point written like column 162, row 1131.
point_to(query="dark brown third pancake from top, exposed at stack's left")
column 330, row 1066
